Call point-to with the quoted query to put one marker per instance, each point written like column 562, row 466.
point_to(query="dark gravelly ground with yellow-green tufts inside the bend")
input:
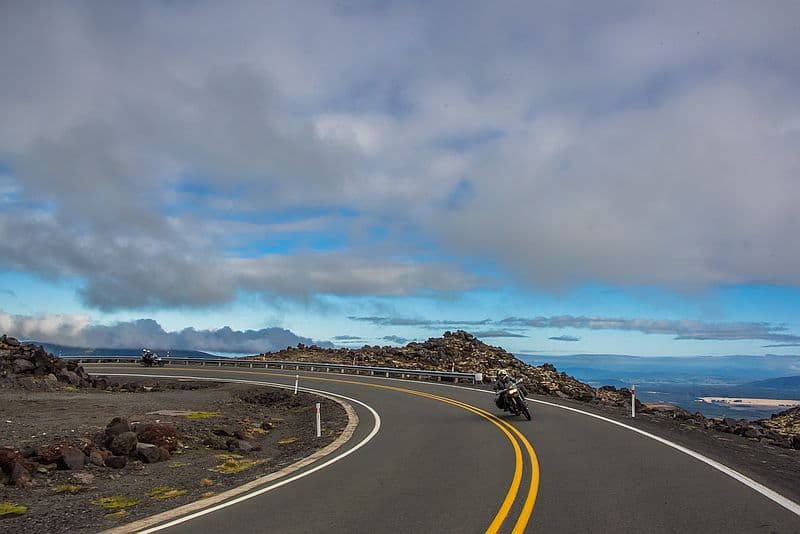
column 277, row 422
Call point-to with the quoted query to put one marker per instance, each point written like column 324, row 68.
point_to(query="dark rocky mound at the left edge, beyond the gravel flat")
column 31, row 367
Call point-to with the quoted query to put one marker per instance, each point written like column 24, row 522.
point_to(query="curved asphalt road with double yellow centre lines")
column 439, row 463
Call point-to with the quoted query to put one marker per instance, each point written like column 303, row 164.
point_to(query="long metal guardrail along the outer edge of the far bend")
column 448, row 376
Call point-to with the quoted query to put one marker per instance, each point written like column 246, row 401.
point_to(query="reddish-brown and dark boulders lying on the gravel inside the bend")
column 149, row 443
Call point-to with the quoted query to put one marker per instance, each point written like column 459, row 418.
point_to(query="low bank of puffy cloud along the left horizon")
column 76, row 330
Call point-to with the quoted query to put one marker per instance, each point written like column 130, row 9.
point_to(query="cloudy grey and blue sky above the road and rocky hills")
column 554, row 177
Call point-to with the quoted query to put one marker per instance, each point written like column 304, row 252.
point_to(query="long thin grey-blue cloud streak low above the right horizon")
column 682, row 330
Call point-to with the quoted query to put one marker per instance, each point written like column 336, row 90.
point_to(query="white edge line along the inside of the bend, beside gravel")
column 258, row 492
